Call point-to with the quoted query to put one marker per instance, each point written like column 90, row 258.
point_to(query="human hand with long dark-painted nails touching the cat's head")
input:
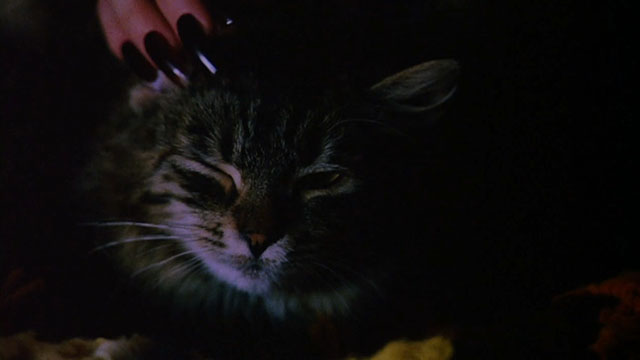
column 155, row 34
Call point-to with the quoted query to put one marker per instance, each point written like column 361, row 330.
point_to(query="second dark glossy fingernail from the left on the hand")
column 166, row 58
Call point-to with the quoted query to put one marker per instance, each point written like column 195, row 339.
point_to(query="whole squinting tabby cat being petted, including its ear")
column 236, row 200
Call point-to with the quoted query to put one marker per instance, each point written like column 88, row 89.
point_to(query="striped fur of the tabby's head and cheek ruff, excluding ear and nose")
column 184, row 184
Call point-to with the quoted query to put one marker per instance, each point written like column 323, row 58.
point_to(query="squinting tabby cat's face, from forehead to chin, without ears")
column 258, row 197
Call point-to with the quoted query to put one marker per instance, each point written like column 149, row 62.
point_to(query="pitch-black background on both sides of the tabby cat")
column 535, row 171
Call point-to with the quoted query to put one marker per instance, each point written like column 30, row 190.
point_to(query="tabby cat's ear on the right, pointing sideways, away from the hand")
column 420, row 88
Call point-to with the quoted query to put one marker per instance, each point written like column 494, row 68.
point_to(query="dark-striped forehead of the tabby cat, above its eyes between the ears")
column 260, row 136
